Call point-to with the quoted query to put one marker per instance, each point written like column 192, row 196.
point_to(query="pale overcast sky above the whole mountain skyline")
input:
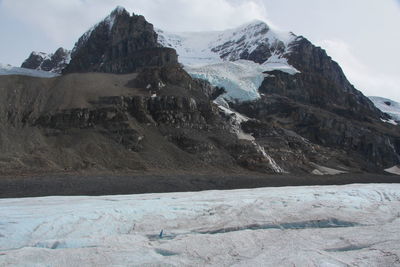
column 362, row 35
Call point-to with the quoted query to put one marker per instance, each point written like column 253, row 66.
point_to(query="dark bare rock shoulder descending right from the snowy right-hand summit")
column 321, row 82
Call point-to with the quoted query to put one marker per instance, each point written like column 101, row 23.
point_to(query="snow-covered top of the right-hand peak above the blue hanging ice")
column 254, row 41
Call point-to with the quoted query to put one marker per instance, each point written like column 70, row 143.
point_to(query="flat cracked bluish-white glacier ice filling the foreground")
column 353, row 225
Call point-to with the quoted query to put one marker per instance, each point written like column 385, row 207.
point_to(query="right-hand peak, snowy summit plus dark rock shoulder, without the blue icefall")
column 323, row 81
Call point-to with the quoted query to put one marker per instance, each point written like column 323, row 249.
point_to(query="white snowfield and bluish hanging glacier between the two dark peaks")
column 215, row 56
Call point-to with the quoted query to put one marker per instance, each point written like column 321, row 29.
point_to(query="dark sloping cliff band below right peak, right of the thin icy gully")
column 371, row 142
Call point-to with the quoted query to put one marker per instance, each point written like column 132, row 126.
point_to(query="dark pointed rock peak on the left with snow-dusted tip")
column 119, row 44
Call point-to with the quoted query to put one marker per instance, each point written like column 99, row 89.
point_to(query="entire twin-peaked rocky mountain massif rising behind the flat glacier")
column 127, row 100
